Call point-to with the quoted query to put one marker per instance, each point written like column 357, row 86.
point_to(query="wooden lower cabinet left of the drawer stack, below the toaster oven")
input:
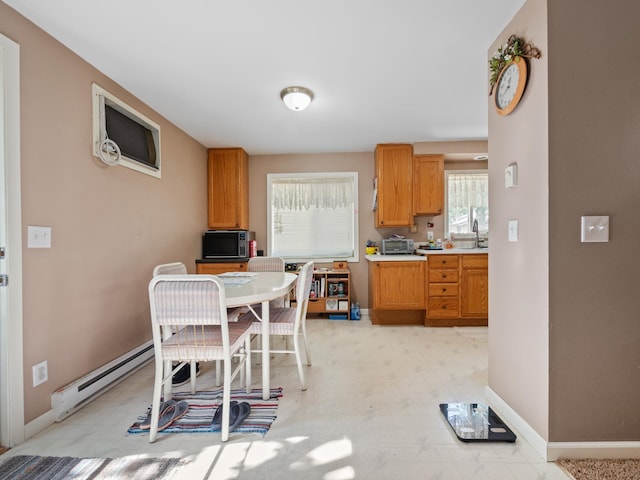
column 397, row 292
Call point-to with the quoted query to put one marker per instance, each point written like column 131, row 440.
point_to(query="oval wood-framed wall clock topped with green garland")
column 509, row 74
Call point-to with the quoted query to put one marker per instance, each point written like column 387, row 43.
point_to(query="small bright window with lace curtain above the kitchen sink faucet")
column 466, row 200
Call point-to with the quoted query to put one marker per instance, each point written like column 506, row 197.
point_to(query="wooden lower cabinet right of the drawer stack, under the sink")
column 475, row 286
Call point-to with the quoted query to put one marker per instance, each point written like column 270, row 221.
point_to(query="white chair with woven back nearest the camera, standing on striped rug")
column 190, row 323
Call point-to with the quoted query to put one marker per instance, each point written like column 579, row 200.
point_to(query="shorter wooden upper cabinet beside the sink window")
column 428, row 184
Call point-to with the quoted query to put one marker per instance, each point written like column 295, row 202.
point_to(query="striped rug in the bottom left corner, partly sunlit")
column 28, row 467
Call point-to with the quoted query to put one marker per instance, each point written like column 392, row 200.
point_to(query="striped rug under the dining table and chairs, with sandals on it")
column 202, row 406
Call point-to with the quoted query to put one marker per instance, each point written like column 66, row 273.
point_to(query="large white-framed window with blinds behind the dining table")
column 313, row 216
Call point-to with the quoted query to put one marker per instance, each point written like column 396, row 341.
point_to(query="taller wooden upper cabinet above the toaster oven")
column 394, row 173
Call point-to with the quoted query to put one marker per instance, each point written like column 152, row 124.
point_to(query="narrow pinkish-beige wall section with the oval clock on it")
column 519, row 271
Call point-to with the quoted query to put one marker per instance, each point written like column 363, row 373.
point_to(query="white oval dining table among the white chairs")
column 263, row 287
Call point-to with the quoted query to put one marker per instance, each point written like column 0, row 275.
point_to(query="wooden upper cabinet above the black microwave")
column 228, row 188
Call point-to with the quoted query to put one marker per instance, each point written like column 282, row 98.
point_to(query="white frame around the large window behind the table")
column 355, row 226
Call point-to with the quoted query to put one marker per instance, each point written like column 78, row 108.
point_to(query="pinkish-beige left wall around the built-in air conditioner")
column 85, row 299
